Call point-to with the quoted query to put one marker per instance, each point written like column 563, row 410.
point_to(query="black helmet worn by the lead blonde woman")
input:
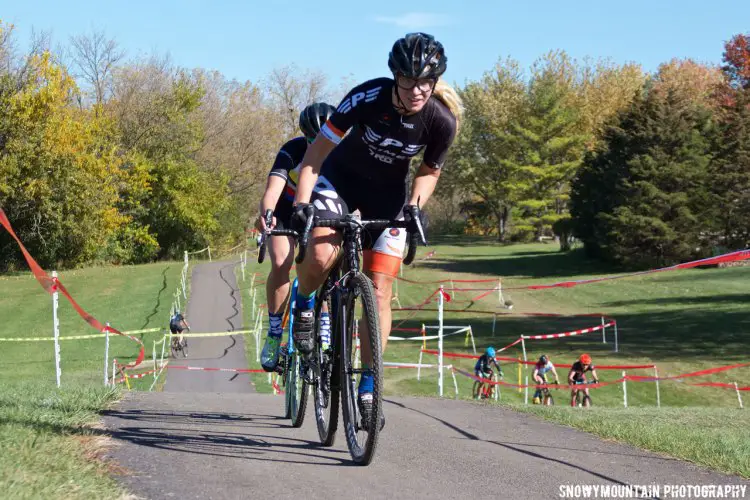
column 417, row 55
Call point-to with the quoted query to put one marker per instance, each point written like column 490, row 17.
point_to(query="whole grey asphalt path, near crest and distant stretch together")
column 209, row 437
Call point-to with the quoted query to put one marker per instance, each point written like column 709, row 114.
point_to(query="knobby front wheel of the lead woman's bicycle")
column 361, row 436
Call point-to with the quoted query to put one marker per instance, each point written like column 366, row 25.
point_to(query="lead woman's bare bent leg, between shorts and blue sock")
column 319, row 259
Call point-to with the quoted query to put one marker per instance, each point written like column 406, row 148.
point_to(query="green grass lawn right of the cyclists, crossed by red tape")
column 682, row 321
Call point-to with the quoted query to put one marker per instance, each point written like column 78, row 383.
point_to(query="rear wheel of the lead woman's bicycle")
column 326, row 400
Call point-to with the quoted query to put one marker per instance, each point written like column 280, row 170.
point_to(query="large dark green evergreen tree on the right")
column 642, row 198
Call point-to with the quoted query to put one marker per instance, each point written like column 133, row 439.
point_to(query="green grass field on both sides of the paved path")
column 682, row 321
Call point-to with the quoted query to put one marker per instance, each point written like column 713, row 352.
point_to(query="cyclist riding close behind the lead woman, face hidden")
column 280, row 188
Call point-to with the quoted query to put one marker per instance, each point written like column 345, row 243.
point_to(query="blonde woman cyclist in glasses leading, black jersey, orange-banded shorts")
column 388, row 121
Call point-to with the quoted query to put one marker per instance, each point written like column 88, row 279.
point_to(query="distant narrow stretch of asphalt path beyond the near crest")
column 214, row 306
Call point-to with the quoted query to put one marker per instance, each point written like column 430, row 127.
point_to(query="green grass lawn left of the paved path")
column 47, row 435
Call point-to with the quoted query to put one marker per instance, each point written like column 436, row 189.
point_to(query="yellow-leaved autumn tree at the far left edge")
column 58, row 170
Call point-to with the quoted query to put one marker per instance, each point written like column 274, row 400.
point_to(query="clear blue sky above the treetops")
column 246, row 39
